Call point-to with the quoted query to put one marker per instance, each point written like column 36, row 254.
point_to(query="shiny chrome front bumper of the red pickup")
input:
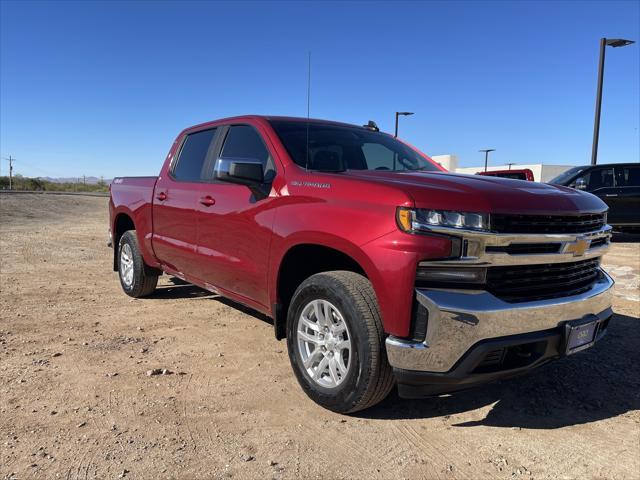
column 458, row 319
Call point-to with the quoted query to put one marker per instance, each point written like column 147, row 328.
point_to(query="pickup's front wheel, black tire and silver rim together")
column 336, row 342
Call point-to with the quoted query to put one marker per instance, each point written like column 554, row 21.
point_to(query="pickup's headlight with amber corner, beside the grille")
column 415, row 220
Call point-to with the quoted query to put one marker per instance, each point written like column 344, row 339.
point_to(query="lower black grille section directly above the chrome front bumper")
column 535, row 282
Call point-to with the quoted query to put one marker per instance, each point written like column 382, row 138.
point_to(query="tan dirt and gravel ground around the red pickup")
column 75, row 400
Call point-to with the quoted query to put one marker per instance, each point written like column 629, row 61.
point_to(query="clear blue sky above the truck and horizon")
column 102, row 88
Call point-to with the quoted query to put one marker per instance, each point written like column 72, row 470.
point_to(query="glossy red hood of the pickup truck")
column 485, row 194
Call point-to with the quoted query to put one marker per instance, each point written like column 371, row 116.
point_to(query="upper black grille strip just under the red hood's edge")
column 547, row 223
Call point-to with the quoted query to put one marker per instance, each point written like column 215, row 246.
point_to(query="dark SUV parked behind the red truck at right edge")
column 617, row 184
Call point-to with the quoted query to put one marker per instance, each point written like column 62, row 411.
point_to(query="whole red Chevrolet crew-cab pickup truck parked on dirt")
column 378, row 267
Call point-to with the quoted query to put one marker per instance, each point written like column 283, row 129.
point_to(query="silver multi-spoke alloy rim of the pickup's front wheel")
column 324, row 343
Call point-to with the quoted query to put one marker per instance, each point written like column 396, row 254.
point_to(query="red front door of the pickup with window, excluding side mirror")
column 234, row 230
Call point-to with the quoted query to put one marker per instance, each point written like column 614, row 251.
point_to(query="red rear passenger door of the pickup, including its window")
column 175, row 204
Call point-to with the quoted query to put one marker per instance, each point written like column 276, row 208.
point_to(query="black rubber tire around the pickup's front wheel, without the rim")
column 369, row 377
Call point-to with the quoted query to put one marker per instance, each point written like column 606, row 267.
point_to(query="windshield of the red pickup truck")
column 336, row 148
